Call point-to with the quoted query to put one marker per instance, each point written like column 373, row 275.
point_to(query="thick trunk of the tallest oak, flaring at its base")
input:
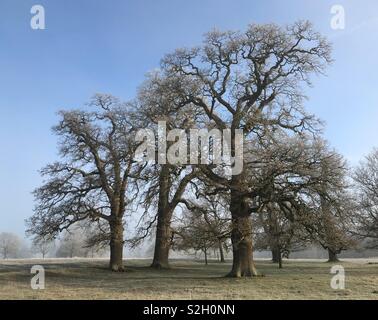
column 241, row 236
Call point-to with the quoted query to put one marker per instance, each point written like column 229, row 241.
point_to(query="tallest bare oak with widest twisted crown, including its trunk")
column 250, row 81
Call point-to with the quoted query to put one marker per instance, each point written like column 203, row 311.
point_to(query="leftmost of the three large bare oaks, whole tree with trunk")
column 94, row 180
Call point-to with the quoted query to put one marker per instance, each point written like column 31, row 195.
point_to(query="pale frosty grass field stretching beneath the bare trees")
column 89, row 279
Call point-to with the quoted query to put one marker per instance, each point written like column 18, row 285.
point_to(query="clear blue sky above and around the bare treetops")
column 94, row 46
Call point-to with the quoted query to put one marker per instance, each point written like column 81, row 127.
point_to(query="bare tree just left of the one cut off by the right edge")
column 324, row 205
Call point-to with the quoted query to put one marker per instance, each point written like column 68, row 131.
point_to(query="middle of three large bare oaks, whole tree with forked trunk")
column 165, row 183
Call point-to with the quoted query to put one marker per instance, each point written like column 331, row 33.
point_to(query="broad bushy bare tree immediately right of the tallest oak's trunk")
column 303, row 194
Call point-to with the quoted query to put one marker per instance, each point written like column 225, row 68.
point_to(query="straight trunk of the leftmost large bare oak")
column 116, row 246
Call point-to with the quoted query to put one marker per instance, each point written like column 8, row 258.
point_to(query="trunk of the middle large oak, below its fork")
column 163, row 240
